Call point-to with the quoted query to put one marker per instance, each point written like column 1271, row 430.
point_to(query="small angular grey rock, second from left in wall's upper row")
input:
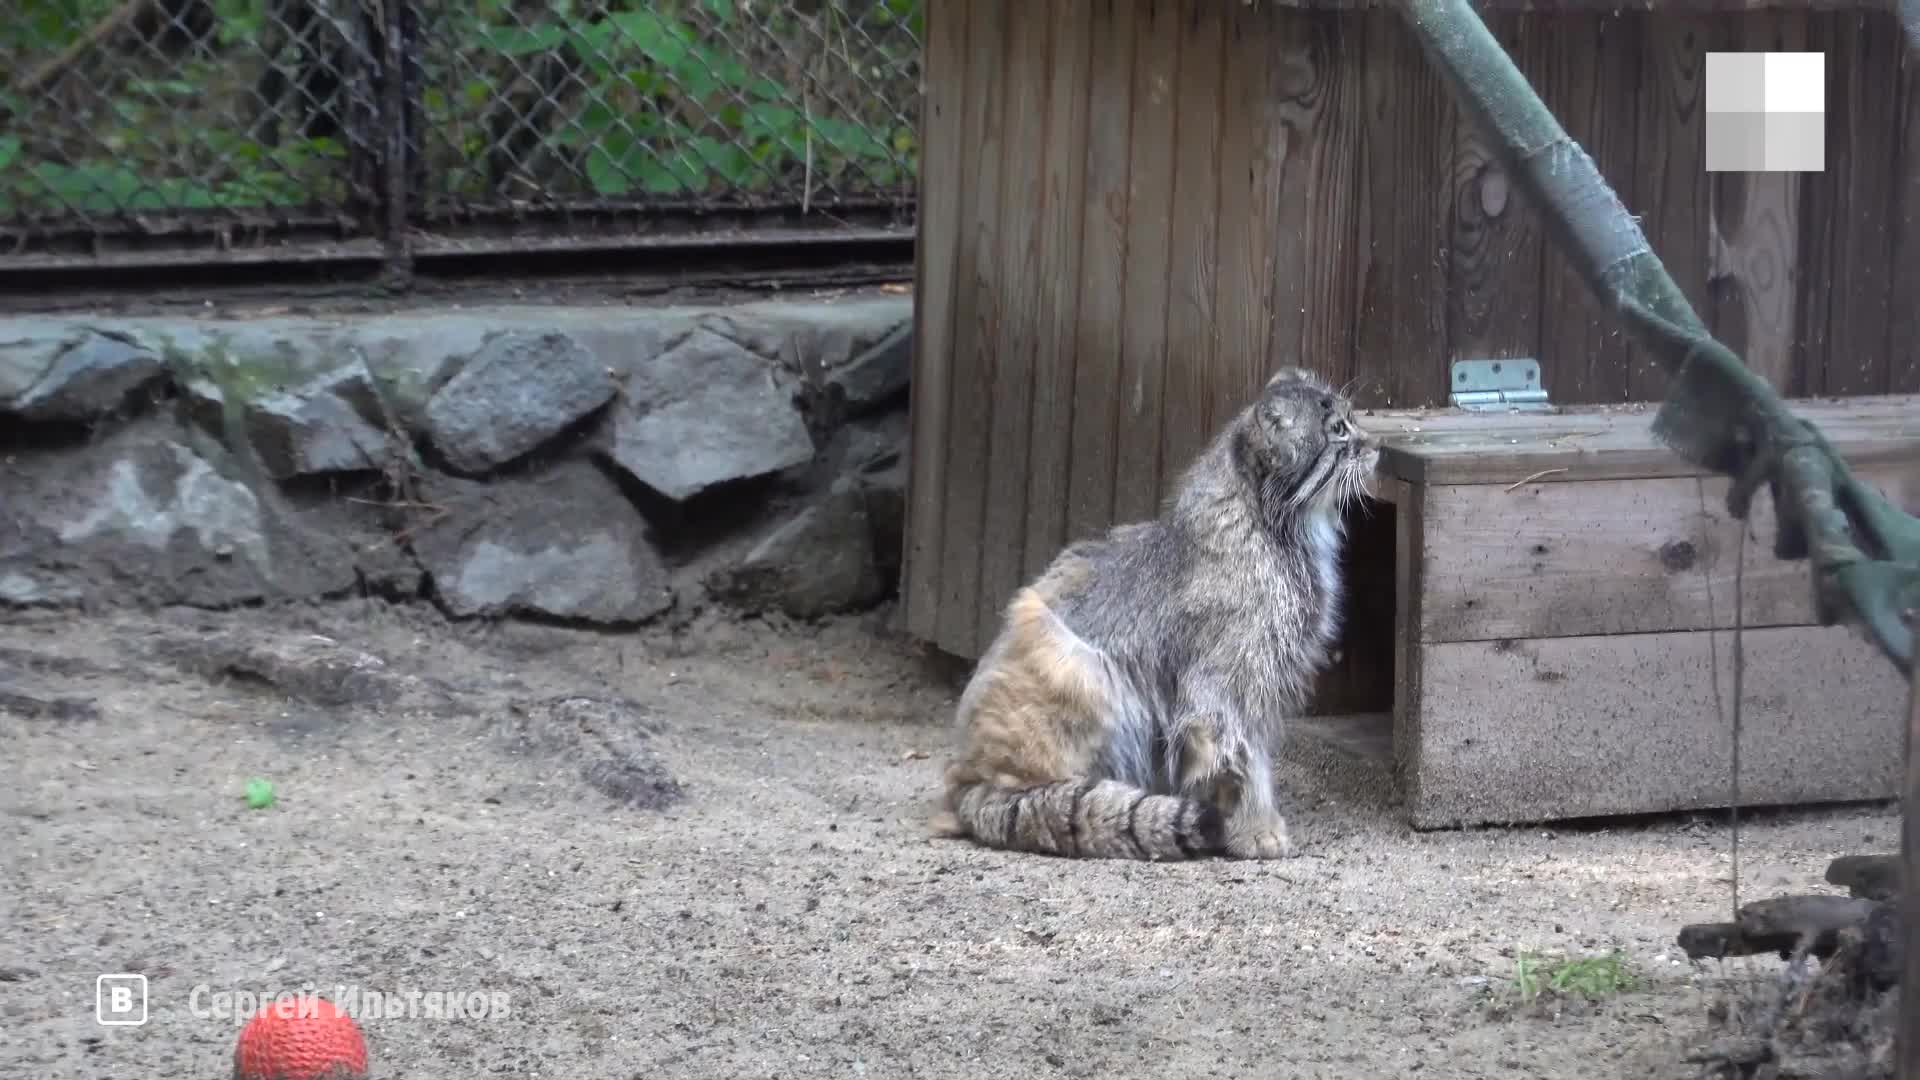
column 324, row 428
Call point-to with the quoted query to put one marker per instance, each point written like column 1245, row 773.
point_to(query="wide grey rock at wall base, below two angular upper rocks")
column 565, row 545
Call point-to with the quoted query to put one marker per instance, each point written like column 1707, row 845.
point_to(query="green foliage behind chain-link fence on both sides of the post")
column 661, row 101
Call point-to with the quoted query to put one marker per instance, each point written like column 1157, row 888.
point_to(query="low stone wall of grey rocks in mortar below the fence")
column 598, row 466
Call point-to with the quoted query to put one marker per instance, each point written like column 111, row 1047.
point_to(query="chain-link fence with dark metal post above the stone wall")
column 314, row 128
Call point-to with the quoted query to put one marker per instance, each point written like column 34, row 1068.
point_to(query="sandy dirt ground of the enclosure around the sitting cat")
column 704, row 854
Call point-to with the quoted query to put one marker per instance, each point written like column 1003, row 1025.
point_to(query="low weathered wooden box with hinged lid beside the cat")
column 1566, row 595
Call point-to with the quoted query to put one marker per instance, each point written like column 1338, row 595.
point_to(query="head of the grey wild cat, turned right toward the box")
column 1307, row 443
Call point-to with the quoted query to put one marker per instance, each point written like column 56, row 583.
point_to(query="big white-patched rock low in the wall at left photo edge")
column 147, row 518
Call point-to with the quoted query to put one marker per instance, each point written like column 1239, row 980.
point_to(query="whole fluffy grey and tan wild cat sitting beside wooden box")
column 1136, row 695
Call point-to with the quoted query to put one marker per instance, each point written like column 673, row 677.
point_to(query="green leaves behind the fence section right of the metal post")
column 675, row 109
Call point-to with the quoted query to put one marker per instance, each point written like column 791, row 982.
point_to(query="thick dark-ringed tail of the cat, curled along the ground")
column 1086, row 820
